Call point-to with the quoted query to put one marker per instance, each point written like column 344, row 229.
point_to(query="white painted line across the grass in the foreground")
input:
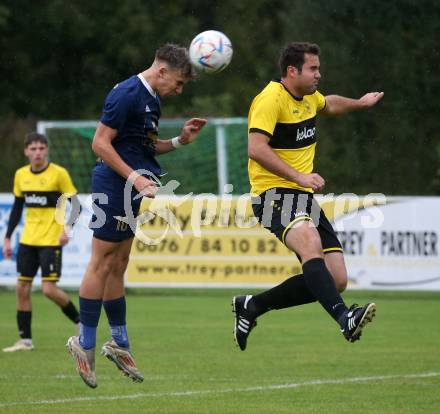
column 223, row 391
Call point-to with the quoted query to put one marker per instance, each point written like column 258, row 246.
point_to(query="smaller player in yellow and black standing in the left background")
column 37, row 187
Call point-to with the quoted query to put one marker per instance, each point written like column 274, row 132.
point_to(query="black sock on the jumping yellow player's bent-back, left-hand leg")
column 292, row 292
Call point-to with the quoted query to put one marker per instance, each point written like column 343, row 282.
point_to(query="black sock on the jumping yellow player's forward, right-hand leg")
column 320, row 282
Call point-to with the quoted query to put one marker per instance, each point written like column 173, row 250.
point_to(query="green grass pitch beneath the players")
column 182, row 340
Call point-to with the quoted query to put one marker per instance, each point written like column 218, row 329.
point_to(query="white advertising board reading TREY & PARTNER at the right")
column 396, row 246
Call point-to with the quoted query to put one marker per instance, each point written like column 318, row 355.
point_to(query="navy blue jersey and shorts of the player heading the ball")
column 133, row 109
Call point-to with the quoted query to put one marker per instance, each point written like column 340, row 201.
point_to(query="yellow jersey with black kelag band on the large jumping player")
column 289, row 123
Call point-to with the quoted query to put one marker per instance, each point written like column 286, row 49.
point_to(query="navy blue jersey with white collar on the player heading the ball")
column 133, row 109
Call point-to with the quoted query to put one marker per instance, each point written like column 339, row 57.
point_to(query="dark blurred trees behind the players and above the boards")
column 60, row 58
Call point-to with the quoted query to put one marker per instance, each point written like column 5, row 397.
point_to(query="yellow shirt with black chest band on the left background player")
column 41, row 191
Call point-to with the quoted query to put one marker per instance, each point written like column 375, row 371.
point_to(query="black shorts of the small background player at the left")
column 30, row 258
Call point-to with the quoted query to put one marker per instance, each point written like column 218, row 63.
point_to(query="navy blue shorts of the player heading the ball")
column 114, row 219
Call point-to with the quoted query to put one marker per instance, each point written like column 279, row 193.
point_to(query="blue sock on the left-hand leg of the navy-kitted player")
column 89, row 313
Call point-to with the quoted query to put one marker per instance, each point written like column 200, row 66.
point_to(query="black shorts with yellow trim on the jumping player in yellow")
column 278, row 209
